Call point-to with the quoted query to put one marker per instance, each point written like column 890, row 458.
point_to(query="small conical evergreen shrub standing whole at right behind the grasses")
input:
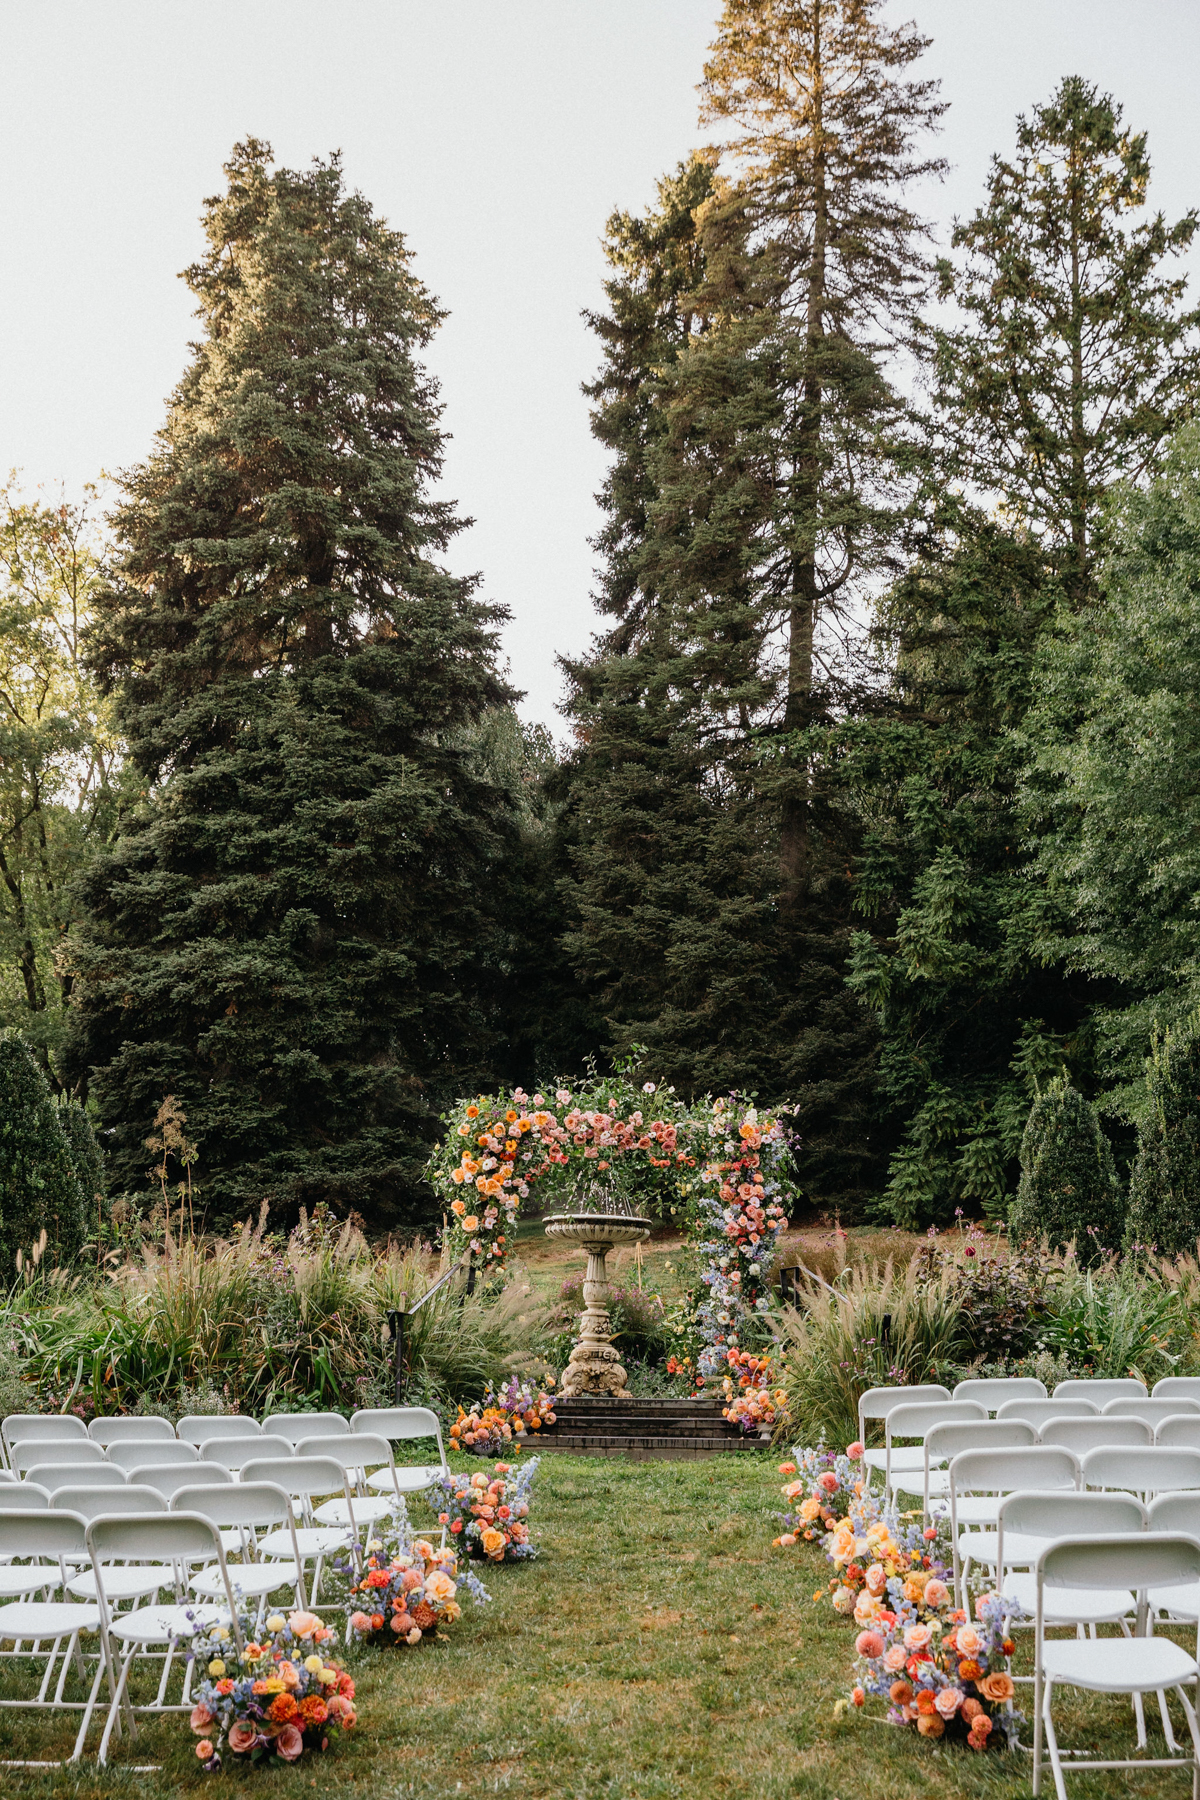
column 1070, row 1189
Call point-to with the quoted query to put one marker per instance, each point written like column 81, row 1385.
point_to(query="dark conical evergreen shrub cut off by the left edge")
column 39, row 1187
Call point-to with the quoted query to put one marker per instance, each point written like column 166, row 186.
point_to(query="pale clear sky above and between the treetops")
column 497, row 136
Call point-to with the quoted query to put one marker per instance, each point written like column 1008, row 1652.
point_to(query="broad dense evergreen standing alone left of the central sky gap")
column 287, row 935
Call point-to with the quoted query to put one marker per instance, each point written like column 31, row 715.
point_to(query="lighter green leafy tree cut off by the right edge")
column 1116, row 771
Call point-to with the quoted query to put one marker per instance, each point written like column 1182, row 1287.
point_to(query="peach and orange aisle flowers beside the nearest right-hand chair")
column 938, row 1671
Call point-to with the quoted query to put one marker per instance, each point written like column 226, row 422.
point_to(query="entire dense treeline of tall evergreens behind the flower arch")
column 881, row 777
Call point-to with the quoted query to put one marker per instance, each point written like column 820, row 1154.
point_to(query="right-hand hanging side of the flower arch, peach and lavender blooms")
column 740, row 1218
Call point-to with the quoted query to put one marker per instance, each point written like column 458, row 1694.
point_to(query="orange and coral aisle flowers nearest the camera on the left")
column 282, row 1698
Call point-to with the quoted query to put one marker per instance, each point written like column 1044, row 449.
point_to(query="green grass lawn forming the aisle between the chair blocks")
column 658, row 1651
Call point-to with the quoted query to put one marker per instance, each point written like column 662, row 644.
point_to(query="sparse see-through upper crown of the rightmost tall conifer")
column 1075, row 357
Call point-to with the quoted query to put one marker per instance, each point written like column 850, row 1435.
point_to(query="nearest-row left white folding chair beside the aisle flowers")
column 157, row 1632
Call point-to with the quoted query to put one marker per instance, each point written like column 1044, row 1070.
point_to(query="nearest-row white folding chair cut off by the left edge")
column 55, row 1542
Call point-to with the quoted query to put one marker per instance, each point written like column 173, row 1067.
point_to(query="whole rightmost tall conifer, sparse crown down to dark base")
column 1070, row 361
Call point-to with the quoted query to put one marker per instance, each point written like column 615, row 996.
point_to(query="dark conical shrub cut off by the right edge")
column 1165, row 1187
